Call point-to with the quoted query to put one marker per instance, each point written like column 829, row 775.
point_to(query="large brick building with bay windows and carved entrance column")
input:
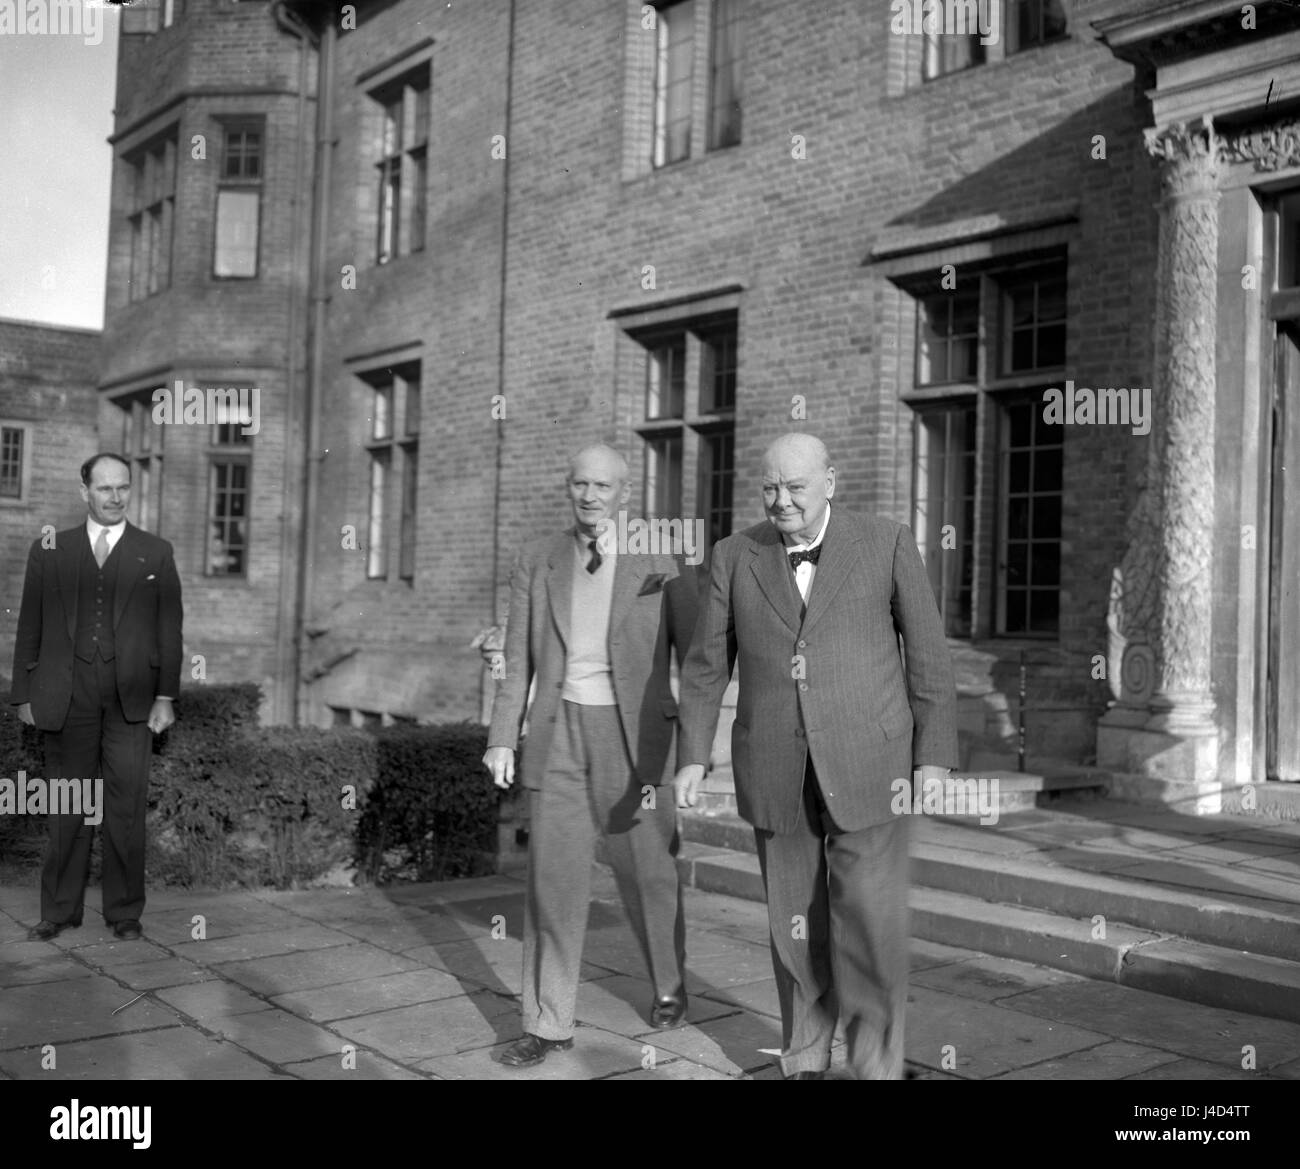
column 453, row 244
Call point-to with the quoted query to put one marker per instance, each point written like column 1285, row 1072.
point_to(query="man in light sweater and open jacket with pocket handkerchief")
column 595, row 626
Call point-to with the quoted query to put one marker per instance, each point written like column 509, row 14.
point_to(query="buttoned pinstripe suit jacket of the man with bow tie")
column 834, row 683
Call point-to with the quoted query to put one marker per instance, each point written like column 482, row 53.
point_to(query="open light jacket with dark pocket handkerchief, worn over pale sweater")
column 652, row 612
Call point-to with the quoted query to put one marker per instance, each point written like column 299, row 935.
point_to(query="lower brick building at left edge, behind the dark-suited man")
column 47, row 431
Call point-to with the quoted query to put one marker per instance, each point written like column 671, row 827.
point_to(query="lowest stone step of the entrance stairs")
column 1185, row 968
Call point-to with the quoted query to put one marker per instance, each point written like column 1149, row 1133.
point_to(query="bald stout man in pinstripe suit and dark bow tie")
column 831, row 712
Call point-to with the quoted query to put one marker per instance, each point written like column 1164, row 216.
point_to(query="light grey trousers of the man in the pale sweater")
column 590, row 790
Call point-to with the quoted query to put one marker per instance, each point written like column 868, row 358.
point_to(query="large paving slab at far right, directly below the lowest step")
column 1188, row 1029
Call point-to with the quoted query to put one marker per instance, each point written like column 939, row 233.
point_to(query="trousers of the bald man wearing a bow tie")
column 838, row 912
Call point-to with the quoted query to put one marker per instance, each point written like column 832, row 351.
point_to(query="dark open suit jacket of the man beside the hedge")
column 148, row 617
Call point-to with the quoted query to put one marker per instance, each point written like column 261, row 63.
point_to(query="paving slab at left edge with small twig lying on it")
column 59, row 1014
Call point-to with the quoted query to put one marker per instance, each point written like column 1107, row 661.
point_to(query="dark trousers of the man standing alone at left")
column 98, row 742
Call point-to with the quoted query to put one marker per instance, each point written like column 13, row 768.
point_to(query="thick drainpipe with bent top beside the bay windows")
column 288, row 666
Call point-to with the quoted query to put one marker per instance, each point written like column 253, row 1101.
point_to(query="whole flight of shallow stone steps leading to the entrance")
column 1204, row 908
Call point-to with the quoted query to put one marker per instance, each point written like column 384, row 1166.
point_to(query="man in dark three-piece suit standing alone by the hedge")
column 96, row 666
